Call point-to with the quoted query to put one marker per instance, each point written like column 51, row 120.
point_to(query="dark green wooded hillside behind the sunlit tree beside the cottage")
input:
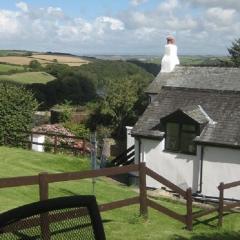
column 89, row 82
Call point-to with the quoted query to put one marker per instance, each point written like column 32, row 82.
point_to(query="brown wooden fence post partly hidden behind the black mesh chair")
column 43, row 194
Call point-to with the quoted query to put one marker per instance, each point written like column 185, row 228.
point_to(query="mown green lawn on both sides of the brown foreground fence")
column 123, row 223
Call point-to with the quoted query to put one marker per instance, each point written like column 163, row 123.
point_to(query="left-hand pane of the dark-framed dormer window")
column 172, row 137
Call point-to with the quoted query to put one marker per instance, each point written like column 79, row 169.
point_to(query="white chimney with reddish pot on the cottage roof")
column 170, row 58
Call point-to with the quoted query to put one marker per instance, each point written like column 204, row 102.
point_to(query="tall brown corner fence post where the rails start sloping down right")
column 143, row 190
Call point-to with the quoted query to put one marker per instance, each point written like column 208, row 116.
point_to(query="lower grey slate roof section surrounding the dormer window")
column 223, row 107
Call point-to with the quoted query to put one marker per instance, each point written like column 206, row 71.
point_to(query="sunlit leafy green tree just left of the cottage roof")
column 120, row 105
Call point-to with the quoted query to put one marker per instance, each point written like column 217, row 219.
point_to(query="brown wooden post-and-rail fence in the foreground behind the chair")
column 44, row 179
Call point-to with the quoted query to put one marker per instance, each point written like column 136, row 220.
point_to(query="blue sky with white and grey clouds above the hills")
column 134, row 27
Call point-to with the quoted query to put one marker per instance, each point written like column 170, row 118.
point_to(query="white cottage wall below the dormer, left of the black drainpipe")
column 181, row 169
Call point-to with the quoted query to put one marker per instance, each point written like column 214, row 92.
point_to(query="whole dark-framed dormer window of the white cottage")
column 179, row 138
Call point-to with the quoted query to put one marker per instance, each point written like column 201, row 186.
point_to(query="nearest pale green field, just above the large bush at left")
column 29, row 77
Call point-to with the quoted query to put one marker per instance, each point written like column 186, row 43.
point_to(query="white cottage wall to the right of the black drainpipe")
column 221, row 165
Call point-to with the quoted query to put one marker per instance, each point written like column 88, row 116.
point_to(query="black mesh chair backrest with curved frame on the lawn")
column 70, row 218
